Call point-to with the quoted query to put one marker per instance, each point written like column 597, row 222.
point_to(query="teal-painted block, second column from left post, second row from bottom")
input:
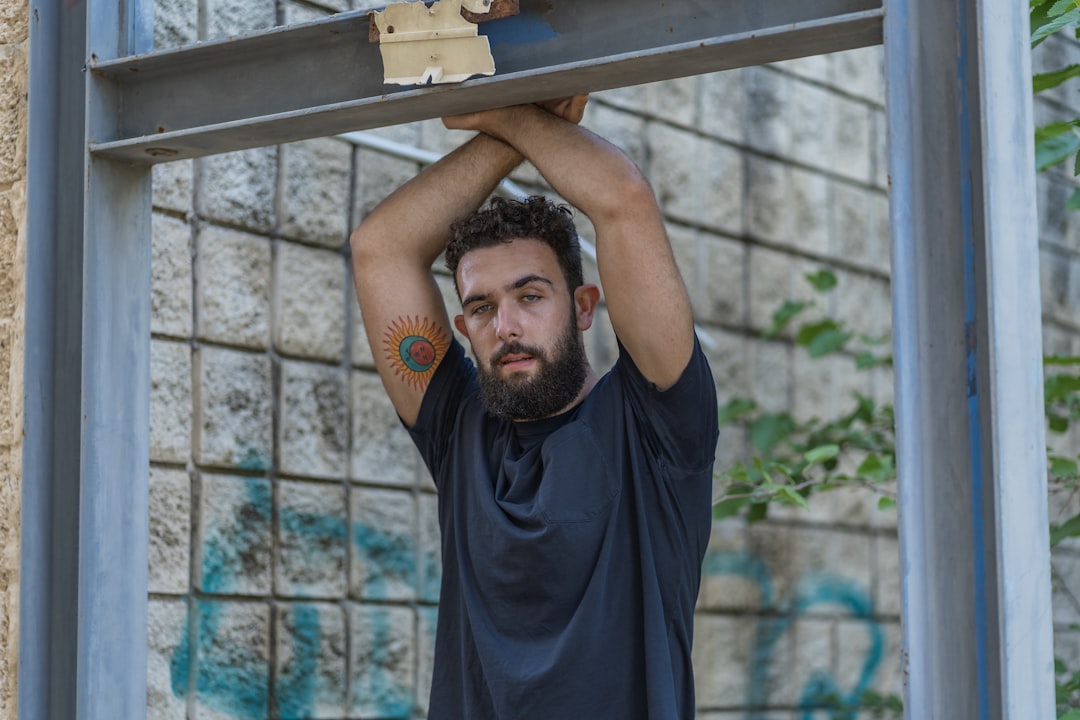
column 235, row 536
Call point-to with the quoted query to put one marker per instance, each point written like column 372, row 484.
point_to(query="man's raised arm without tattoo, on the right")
column 646, row 297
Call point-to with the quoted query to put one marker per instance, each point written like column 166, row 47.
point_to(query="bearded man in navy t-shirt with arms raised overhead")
column 575, row 510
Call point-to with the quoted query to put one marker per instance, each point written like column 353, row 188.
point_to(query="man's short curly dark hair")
column 505, row 221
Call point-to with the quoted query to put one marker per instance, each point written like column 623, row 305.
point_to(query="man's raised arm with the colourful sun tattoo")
column 393, row 253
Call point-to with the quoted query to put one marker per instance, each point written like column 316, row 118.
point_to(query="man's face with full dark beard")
column 524, row 329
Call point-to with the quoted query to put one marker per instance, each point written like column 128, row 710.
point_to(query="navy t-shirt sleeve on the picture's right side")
column 682, row 422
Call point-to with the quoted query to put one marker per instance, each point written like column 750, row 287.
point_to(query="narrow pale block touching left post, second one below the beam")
column 171, row 279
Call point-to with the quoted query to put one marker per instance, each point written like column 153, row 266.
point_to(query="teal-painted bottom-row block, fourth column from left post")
column 383, row 662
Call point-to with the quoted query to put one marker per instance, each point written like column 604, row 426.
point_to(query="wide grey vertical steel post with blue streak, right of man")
column 971, row 454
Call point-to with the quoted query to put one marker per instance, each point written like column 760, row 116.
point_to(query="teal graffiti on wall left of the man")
column 235, row 680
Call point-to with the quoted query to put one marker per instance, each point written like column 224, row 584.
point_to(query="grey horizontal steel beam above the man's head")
column 325, row 78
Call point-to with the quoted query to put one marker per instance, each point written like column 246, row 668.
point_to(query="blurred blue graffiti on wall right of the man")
column 821, row 694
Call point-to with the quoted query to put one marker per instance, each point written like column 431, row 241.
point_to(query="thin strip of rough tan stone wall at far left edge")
column 13, row 77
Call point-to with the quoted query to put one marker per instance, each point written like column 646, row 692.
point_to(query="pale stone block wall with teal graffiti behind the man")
column 294, row 536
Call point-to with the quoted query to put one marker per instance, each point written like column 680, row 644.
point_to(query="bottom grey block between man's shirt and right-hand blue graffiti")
column 723, row 660
